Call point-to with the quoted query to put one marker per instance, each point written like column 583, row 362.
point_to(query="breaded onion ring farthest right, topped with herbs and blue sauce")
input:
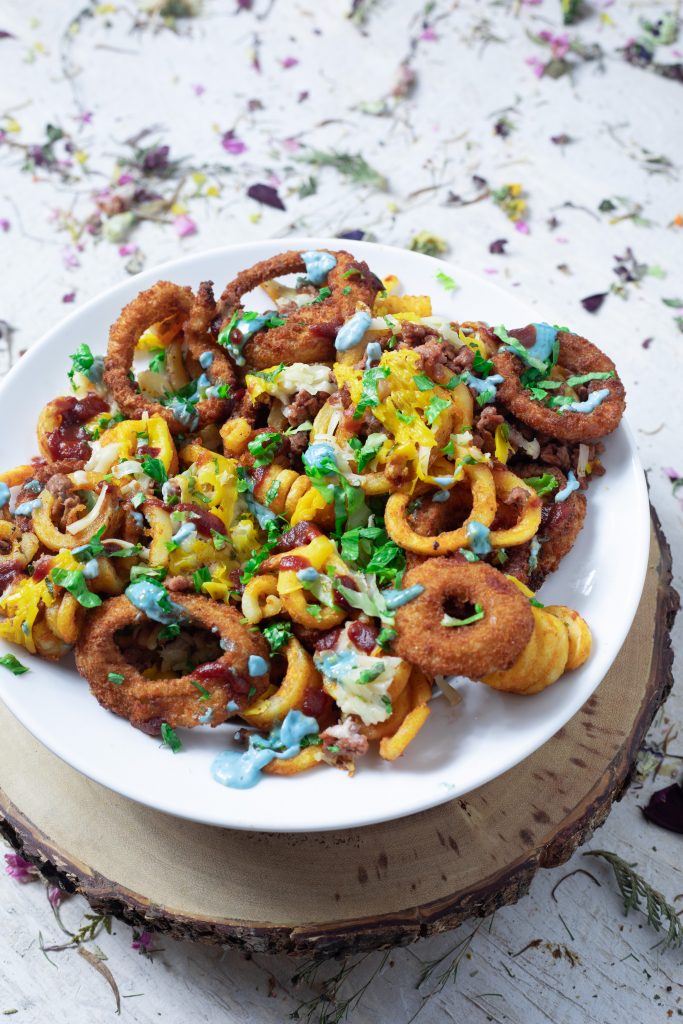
column 581, row 357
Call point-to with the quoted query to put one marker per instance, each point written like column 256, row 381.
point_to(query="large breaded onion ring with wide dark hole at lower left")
column 147, row 703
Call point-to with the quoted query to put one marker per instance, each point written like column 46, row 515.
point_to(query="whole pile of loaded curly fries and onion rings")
column 307, row 521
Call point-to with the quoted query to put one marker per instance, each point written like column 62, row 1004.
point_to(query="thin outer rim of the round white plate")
column 365, row 250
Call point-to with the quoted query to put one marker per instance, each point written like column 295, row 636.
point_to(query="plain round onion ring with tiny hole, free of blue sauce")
column 493, row 644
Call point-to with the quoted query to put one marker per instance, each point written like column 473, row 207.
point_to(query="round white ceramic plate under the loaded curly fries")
column 460, row 748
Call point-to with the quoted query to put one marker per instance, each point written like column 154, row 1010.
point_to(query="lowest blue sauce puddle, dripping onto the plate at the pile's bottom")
column 242, row 772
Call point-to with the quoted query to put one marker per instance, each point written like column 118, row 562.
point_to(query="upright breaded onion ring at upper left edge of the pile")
column 159, row 303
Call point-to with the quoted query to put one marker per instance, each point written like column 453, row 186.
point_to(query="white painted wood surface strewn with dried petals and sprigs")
column 115, row 72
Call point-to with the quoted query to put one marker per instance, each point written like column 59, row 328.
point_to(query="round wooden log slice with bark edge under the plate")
column 332, row 892
